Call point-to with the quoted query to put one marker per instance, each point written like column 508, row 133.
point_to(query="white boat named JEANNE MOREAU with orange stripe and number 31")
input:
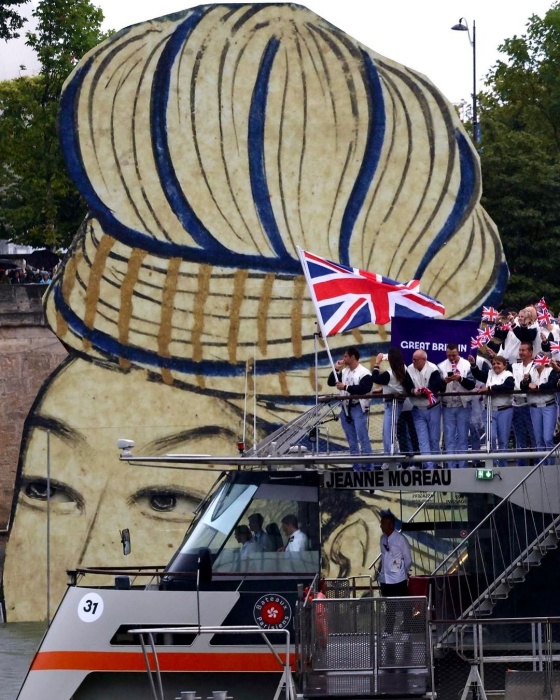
column 214, row 619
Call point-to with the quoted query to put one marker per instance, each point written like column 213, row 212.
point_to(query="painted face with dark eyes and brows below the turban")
column 74, row 428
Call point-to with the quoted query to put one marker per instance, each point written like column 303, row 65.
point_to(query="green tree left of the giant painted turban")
column 40, row 205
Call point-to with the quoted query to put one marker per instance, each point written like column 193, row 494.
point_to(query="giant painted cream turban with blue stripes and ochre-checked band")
column 209, row 144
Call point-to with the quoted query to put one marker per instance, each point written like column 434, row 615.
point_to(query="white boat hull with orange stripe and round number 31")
column 86, row 653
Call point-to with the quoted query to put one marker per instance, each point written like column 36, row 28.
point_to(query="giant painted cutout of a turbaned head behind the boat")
column 208, row 145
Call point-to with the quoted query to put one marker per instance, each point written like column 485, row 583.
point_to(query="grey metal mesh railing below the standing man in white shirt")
column 362, row 646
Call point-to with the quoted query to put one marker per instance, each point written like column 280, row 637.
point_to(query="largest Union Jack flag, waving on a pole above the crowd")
column 347, row 297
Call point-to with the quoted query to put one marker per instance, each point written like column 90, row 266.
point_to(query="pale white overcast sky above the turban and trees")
column 415, row 33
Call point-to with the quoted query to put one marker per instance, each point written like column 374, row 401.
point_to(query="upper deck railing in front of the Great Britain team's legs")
column 319, row 432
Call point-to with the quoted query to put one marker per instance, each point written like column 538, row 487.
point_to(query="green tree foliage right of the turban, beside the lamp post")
column 520, row 155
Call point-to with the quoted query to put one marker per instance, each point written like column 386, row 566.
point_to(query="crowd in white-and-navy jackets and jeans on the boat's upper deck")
column 431, row 408
